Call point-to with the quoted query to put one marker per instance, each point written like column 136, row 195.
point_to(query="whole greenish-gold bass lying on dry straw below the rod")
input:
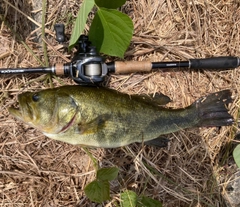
column 102, row 117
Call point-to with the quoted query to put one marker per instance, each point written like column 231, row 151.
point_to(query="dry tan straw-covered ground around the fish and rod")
column 196, row 169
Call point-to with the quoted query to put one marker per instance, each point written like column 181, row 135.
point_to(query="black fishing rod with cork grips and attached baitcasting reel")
column 88, row 67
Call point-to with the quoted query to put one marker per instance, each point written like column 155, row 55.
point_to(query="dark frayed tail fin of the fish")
column 212, row 109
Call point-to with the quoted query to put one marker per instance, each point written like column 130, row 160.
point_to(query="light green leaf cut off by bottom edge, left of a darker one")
column 128, row 199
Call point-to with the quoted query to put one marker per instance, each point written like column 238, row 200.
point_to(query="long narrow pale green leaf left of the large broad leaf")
column 80, row 22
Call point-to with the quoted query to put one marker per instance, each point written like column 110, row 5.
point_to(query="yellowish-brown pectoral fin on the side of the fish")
column 95, row 125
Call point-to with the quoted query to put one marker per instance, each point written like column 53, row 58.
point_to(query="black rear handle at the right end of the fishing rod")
column 215, row 63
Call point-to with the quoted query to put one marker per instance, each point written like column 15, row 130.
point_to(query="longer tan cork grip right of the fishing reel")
column 132, row 66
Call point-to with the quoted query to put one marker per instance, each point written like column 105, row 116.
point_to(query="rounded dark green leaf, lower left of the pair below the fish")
column 98, row 191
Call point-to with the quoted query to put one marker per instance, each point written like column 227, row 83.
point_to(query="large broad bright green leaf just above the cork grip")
column 111, row 32
